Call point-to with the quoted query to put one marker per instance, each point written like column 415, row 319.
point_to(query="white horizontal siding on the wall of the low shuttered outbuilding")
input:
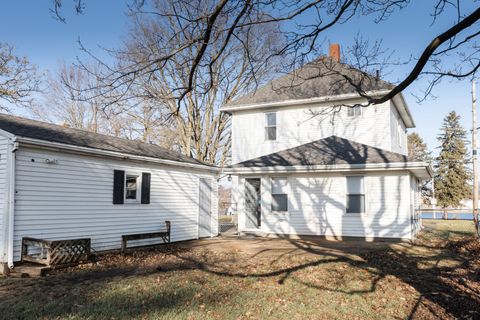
column 73, row 199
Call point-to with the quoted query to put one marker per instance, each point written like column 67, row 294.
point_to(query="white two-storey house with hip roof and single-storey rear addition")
column 305, row 165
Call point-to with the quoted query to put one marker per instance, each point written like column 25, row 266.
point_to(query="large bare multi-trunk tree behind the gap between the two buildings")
column 234, row 68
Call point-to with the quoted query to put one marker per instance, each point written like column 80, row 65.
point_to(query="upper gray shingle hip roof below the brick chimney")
column 320, row 78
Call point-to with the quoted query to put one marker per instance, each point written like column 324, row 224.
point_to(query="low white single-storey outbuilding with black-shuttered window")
column 63, row 183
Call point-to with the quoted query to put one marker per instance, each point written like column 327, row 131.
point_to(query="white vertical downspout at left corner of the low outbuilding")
column 13, row 147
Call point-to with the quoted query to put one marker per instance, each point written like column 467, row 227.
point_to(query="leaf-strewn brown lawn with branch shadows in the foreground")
column 265, row 278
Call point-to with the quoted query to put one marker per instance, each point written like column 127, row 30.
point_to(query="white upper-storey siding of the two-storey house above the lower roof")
column 295, row 126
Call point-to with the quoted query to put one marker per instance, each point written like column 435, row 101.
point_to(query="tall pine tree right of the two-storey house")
column 452, row 175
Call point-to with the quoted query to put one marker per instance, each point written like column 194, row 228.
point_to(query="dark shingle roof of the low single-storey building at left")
column 22, row 127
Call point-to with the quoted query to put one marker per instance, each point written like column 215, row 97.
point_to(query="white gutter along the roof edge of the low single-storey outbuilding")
column 106, row 153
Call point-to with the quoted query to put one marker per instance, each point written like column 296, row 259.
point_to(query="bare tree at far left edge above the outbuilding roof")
column 18, row 78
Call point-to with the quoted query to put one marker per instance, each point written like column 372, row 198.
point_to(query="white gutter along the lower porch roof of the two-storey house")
column 332, row 168
